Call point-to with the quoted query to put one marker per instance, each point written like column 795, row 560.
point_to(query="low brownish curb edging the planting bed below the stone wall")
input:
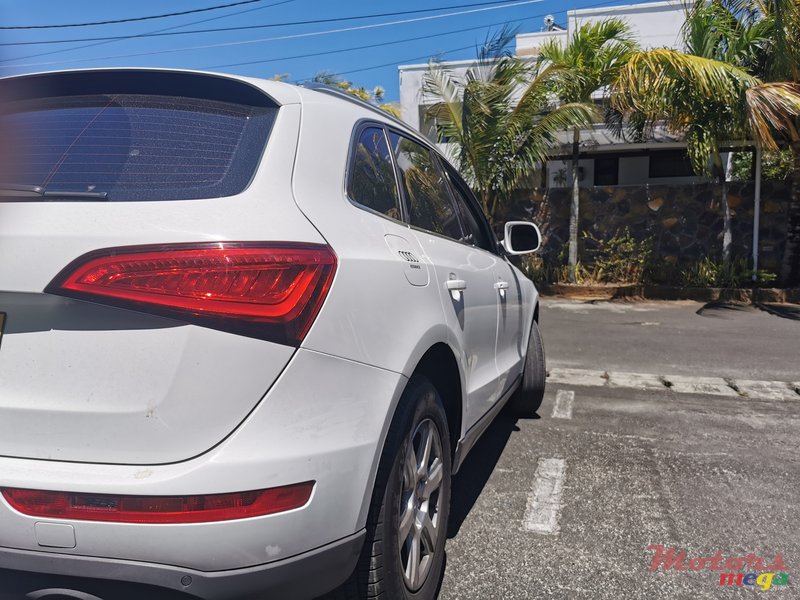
column 653, row 292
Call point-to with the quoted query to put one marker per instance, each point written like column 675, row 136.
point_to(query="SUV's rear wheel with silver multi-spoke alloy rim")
column 401, row 499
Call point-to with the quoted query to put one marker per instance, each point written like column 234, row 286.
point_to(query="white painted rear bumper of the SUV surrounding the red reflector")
column 315, row 424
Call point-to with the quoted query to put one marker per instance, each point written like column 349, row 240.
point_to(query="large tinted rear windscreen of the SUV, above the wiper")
column 136, row 146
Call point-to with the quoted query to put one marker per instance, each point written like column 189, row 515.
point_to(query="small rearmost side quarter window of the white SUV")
column 372, row 180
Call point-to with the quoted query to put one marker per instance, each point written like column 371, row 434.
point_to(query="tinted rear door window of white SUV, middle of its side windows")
column 429, row 202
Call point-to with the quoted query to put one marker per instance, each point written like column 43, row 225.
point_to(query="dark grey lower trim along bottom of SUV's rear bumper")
column 29, row 574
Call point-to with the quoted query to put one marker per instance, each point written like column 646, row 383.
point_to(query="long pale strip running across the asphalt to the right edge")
column 682, row 384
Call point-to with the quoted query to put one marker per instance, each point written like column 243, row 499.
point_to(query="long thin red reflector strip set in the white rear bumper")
column 158, row 509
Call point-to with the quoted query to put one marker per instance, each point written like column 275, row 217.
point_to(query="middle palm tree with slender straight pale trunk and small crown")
column 589, row 62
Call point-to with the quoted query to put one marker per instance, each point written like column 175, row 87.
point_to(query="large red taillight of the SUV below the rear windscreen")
column 268, row 291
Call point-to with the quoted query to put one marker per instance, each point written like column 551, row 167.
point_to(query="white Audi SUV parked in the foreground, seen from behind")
column 248, row 332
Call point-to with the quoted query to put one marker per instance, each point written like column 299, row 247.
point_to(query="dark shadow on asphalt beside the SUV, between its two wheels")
column 477, row 468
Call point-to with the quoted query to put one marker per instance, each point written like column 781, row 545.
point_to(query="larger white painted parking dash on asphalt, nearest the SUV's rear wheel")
column 544, row 500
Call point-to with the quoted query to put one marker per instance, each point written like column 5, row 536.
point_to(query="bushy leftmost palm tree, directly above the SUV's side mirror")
column 499, row 118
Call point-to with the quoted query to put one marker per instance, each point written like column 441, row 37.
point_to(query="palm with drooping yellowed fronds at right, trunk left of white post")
column 712, row 91
